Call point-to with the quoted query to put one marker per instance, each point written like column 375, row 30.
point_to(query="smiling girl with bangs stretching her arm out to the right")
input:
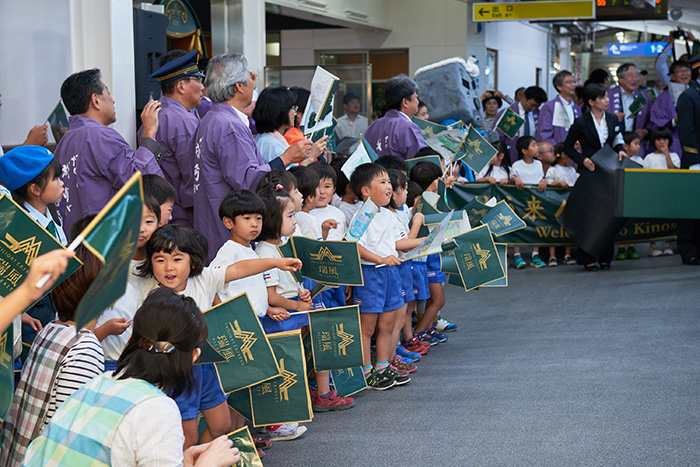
column 175, row 258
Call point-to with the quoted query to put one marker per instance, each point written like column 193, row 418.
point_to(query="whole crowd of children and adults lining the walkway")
column 226, row 181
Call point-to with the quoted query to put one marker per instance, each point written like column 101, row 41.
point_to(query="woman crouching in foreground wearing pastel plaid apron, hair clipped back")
column 126, row 418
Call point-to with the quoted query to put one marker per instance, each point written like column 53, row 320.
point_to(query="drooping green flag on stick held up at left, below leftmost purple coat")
column 112, row 237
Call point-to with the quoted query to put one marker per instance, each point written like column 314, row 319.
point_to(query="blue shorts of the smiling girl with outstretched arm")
column 206, row 393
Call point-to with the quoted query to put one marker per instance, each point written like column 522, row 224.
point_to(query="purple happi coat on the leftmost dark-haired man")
column 95, row 163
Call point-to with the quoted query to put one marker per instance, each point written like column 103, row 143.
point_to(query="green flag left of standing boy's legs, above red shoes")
column 336, row 338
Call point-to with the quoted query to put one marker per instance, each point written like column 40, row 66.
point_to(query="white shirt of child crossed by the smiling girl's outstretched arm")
column 232, row 252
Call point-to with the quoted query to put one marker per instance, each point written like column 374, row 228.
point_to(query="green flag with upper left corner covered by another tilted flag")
column 284, row 399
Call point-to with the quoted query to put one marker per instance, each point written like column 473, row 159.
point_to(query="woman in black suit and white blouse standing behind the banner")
column 594, row 130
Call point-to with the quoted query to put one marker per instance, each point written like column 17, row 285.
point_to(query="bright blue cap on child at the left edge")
column 22, row 164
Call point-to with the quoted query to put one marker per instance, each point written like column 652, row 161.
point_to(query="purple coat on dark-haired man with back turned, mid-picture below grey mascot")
column 395, row 135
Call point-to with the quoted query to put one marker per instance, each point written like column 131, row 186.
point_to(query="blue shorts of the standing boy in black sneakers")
column 382, row 290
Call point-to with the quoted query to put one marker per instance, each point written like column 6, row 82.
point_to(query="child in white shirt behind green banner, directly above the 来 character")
column 528, row 171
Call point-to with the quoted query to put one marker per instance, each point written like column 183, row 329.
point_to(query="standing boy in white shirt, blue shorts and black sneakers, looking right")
column 380, row 299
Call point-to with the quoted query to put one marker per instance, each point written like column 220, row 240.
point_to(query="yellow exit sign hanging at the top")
column 580, row 9
